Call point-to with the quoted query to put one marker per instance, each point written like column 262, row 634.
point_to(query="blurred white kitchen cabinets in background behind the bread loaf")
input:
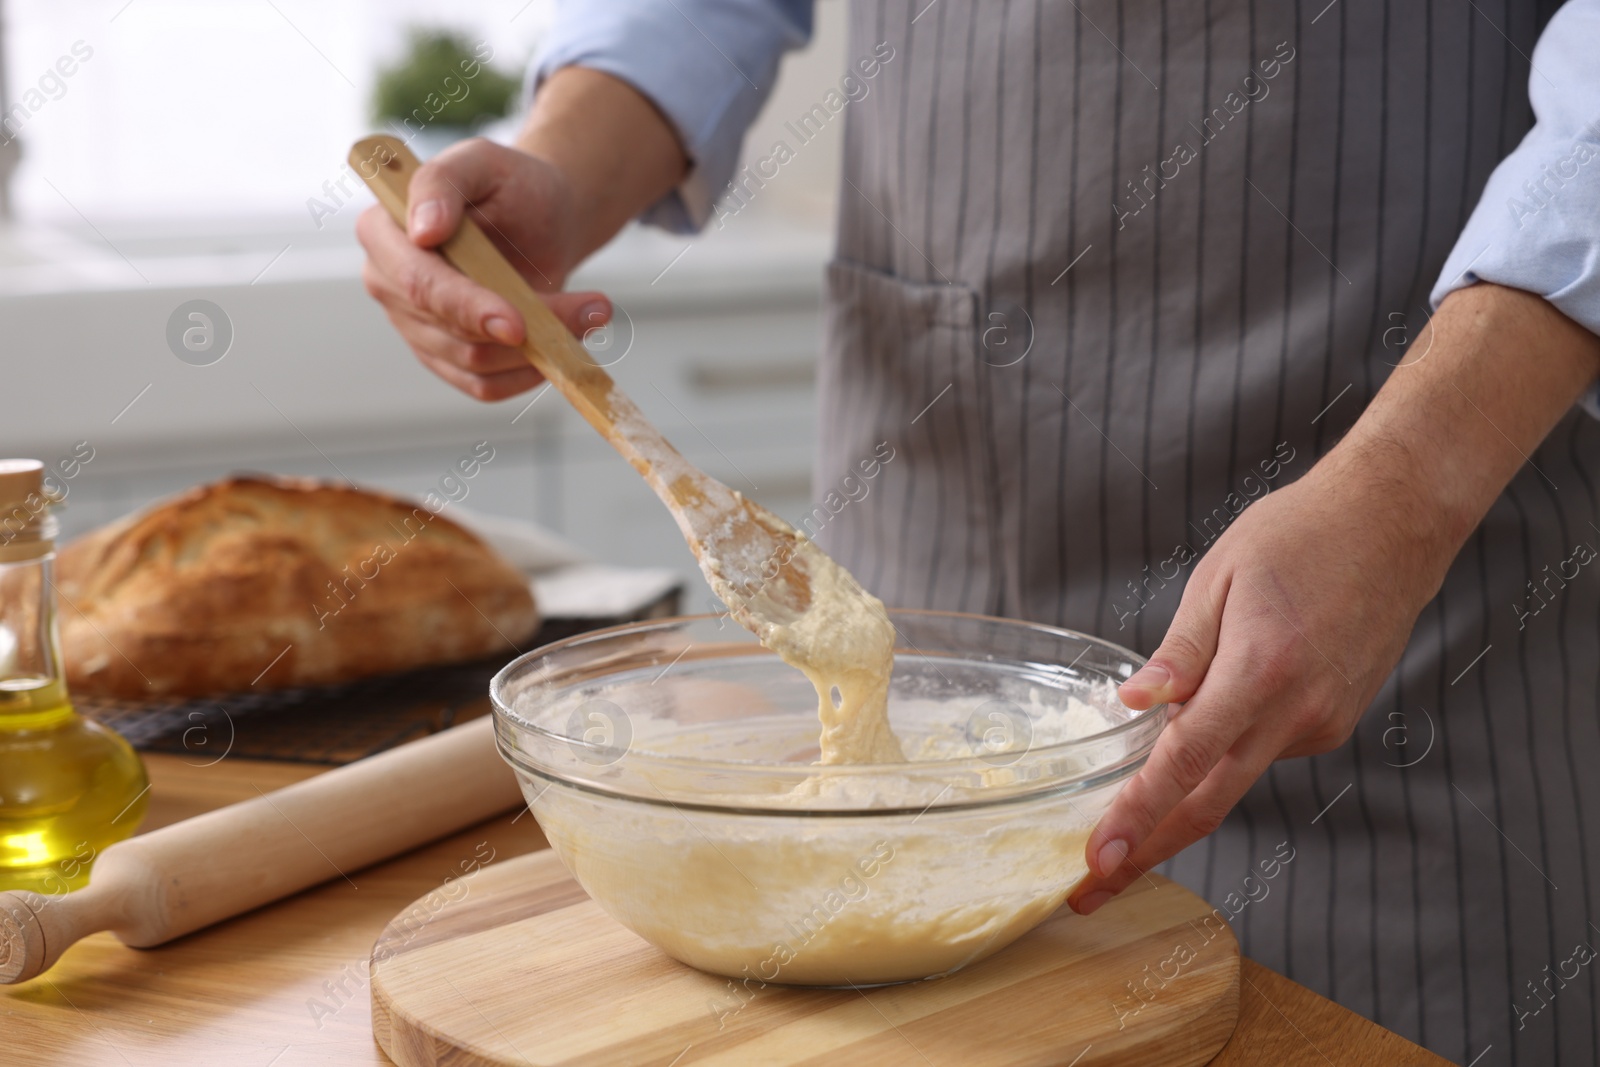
column 722, row 358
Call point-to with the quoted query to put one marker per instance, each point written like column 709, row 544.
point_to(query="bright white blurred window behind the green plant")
column 185, row 118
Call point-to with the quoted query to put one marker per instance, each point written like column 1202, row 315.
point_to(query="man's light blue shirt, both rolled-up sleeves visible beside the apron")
column 710, row 66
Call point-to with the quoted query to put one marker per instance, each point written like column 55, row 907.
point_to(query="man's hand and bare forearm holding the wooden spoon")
column 593, row 156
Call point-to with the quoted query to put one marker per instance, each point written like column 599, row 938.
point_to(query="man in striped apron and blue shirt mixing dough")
column 1214, row 228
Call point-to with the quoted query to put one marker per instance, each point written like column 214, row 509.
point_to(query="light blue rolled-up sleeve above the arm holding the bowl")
column 1538, row 225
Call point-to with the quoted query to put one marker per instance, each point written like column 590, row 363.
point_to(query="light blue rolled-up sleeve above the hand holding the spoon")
column 708, row 65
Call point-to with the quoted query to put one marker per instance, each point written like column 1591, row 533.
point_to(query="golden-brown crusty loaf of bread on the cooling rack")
column 265, row 583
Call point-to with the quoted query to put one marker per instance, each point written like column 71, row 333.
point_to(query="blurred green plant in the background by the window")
column 444, row 81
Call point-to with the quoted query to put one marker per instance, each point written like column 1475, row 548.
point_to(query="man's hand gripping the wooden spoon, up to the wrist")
column 460, row 330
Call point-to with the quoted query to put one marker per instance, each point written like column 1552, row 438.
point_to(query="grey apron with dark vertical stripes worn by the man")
column 1092, row 348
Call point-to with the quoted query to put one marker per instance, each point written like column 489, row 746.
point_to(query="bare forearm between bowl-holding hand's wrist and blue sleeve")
column 1465, row 410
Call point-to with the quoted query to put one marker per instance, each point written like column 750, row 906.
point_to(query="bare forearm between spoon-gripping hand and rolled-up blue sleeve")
column 617, row 151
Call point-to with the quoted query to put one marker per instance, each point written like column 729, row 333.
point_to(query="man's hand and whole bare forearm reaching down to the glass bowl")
column 1292, row 623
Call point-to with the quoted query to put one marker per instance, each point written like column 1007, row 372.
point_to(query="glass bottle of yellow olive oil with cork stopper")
column 70, row 788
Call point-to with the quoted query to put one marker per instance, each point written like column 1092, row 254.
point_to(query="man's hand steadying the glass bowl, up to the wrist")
column 1286, row 633
